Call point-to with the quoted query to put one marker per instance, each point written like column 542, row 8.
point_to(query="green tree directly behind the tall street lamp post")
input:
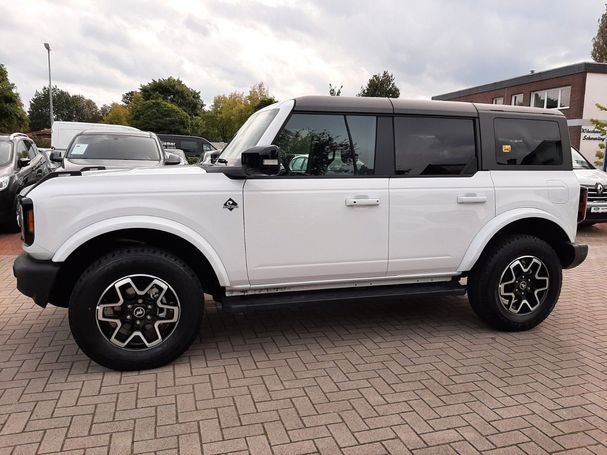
column 66, row 107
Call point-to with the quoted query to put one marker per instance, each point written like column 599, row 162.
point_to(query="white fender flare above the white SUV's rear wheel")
column 482, row 238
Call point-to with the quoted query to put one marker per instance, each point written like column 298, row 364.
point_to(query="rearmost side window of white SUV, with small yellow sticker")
column 522, row 142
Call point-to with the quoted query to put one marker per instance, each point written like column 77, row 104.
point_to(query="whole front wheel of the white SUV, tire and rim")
column 136, row 308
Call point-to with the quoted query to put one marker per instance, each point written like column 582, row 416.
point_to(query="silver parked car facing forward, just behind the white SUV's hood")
column 113, row 150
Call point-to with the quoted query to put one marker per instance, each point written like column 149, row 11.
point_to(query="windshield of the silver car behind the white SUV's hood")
column 114, row 147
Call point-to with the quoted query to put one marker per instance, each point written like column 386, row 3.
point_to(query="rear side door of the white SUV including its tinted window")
column 438, row 199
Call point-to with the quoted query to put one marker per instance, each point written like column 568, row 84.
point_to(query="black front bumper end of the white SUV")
column 35, row 279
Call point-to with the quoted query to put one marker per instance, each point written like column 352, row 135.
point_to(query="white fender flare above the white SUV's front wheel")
column 143, row 222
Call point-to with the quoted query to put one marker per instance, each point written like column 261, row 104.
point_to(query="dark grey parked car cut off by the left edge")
column 21, row 164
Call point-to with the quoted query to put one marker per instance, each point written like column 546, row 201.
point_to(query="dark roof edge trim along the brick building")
column 584, row 67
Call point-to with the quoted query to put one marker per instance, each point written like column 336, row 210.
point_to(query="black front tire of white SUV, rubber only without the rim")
column 135, row 261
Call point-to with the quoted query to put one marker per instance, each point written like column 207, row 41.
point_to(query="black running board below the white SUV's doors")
column 258, row 301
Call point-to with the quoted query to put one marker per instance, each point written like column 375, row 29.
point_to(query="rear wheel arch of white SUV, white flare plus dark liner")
column 539, row 224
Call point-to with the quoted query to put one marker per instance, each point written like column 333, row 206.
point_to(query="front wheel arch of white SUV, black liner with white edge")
column 75, row 258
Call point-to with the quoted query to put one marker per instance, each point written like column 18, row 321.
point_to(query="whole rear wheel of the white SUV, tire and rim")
column 516, row 285
